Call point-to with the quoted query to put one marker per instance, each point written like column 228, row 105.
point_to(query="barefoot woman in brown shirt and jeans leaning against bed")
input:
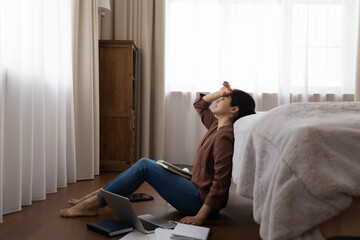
column 207, row 191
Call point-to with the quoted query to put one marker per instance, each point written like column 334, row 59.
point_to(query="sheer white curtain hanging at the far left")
column 37, row 137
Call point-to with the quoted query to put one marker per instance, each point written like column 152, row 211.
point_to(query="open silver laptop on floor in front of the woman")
column 123, row 210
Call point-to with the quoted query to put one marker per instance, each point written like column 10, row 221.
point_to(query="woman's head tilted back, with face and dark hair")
column 234, row 106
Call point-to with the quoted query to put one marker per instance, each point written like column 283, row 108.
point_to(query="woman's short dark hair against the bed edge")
column 244, row 102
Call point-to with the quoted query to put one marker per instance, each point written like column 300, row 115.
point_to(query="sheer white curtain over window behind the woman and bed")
column 280, row 51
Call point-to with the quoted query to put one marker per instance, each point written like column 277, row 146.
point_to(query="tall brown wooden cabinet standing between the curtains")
column 117, row 82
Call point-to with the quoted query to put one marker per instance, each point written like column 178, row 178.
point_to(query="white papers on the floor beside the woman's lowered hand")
column 182, row 232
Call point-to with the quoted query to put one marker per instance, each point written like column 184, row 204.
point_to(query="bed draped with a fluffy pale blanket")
column 300, row 164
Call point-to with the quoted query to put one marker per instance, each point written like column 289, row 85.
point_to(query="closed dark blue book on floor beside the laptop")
column 109, row 227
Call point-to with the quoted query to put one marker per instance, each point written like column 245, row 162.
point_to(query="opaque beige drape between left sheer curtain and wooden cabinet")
column 86, row 87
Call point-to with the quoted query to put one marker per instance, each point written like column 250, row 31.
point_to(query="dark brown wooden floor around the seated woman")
column 41, row 220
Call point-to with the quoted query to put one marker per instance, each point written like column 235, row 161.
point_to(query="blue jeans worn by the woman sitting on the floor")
column 180, row 192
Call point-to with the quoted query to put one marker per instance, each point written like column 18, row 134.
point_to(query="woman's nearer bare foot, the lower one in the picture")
column 88, row 207
